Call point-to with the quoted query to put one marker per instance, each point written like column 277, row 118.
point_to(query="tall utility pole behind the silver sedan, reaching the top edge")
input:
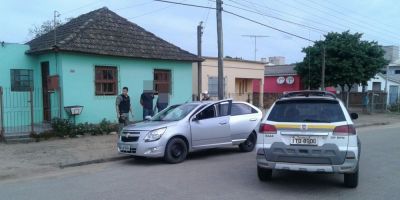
column 220, row 51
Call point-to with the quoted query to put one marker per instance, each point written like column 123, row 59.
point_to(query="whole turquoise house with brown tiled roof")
column 86, row 62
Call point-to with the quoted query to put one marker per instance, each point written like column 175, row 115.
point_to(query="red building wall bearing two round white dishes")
column 271, row 86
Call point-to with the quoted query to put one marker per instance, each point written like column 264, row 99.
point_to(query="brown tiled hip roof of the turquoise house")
column 104, row 32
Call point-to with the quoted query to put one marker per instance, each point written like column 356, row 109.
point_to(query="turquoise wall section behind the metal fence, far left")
column 16, row 103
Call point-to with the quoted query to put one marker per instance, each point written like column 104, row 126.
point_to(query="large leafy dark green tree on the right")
column 348, row 61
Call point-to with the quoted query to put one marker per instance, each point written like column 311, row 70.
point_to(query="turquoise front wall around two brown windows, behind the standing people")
column 79, row 88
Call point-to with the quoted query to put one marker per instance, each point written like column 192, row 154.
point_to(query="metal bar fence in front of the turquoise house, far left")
column 23, row 112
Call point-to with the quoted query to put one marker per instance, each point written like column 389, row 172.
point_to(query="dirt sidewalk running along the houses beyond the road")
column 20, row 160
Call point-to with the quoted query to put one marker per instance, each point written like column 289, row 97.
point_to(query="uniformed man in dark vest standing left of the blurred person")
column 123, row 107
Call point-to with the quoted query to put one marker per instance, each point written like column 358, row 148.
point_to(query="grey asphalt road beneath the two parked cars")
column 218, row 174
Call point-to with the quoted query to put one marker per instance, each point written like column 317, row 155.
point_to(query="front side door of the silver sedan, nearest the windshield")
column 210, row 127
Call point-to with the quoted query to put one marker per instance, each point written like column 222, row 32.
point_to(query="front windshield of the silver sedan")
column 174, row 113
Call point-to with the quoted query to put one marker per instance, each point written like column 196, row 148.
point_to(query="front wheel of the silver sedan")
column 175, row 151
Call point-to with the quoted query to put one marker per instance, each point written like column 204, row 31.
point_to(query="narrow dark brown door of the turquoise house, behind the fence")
column 45, row 93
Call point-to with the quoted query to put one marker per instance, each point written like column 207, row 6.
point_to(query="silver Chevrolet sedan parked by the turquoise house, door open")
column 180, row 129
